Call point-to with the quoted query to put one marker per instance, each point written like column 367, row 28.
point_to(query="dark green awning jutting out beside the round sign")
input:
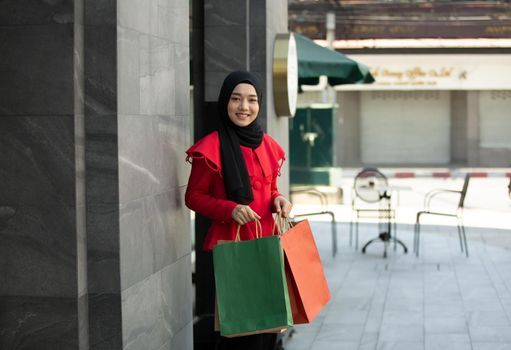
column 315, row 60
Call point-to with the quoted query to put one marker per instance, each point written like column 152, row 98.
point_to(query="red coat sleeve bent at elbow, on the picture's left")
column 198, row 197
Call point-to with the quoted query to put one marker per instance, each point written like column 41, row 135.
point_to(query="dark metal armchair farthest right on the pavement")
column 458, row 214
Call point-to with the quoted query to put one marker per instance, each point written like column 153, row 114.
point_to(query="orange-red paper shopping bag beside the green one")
column 307, row 285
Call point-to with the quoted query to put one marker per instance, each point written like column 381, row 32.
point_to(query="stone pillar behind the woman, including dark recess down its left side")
column 227, row 36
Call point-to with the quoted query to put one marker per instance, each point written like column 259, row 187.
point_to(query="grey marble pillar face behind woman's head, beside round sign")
column 239, row 35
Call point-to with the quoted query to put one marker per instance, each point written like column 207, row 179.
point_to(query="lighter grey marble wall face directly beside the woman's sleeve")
column 153, row 134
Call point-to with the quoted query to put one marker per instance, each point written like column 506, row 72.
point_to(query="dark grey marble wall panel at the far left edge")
column 38, row 197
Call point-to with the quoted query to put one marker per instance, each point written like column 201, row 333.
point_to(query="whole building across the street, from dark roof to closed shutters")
column 442, row 87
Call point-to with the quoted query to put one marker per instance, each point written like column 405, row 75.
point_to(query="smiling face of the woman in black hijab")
column 243, row 105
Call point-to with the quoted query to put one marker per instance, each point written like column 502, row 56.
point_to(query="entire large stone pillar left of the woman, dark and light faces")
column 94, row 236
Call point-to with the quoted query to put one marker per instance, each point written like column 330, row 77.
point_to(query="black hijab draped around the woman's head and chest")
column 236, row 179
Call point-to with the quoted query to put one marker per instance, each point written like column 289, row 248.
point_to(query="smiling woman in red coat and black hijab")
column 234, row 176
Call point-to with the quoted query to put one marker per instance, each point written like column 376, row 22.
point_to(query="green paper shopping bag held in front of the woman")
column 251, row 289
